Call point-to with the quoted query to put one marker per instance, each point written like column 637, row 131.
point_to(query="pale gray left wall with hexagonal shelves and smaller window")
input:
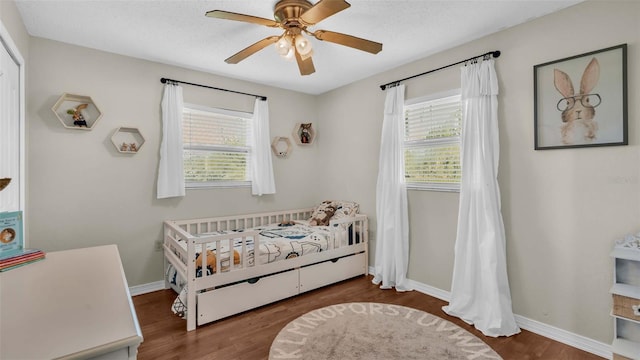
column 83, row 192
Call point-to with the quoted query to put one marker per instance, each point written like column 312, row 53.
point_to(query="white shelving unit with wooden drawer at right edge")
column 626, row 301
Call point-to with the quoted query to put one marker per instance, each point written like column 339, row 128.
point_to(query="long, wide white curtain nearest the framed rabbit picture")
column 480, row 293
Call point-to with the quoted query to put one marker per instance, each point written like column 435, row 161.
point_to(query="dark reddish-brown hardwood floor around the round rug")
column 248, row 336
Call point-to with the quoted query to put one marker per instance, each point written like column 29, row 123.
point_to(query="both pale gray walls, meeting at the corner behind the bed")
column 562, row 209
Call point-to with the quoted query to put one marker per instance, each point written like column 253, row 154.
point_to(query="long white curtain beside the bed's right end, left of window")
column 392, row 244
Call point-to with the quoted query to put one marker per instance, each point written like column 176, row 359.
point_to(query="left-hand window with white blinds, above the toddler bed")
column 217, row 147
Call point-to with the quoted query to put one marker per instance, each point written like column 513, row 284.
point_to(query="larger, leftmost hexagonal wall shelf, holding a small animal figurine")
column 77, row 111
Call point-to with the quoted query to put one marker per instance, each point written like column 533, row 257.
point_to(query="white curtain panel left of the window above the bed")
column 170, row 171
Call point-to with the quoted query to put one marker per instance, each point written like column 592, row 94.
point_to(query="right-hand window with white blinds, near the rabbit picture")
column 432, row 142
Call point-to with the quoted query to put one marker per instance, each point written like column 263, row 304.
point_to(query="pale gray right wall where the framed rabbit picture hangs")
column 563, row 209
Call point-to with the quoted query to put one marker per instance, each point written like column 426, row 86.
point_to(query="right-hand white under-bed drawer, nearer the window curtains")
column 329, row 272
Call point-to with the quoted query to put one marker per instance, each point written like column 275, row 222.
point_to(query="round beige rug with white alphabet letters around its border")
column 375, row 331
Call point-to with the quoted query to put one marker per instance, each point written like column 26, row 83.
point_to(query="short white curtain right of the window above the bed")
column 262, row 180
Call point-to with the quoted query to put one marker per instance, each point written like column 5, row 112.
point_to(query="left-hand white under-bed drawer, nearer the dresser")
column 233, row 299
